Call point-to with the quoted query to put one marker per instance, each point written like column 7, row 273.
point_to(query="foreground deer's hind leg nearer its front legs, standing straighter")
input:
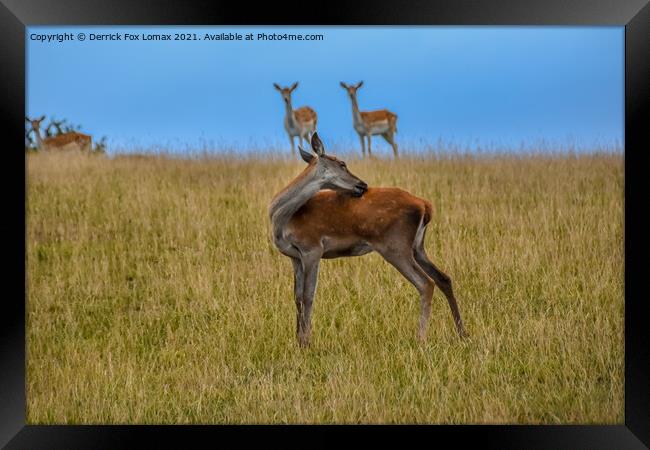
column 404, row 262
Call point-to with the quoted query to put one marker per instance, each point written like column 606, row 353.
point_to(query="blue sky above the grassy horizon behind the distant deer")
column 468, row 86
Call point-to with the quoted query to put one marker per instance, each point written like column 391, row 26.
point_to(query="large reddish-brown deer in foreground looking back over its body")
column 327, row 212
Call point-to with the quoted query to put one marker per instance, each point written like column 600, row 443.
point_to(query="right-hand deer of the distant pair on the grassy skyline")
column 369, row 123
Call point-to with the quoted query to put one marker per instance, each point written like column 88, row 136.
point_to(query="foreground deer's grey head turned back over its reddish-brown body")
column 331, row 171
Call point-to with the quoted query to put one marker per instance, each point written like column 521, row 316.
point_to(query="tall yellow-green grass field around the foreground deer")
column 154, row 295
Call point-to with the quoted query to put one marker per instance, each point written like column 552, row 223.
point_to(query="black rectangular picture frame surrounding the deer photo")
column 15, row 15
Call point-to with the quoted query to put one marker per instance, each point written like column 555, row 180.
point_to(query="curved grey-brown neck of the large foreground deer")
column 292, row 198
